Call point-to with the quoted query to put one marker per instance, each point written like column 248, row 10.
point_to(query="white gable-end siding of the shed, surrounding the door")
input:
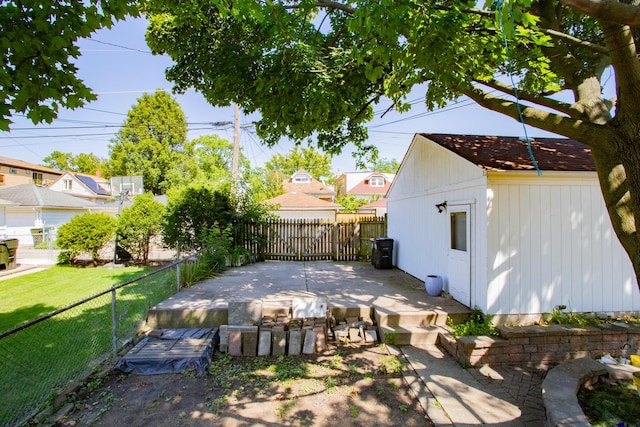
column 420, row 233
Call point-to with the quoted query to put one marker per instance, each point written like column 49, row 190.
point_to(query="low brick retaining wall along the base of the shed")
column 544, row 346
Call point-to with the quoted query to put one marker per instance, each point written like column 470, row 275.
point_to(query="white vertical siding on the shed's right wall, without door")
column 550, row 243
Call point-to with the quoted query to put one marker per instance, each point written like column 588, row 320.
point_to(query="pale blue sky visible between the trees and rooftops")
column 118, row 66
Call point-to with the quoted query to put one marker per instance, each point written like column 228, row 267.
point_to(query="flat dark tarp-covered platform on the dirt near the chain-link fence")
column 166, row 351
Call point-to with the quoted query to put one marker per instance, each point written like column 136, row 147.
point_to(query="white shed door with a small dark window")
column 459, row 254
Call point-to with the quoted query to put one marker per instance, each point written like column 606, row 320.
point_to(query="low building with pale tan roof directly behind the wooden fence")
column 303, row 206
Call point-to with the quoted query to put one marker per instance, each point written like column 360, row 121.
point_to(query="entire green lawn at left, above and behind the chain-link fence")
column 38, row 362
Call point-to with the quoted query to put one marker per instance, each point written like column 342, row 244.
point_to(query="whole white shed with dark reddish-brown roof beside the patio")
column 473, row 210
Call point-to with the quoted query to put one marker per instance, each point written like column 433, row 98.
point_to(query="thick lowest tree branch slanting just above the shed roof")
column 580, row 130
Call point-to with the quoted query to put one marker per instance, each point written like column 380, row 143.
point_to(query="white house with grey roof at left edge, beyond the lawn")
column 27, row 206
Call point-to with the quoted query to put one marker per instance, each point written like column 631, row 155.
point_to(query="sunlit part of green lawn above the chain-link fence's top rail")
column 30, row 296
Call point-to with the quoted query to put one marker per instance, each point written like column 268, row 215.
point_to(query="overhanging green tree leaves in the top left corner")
column 39, row 46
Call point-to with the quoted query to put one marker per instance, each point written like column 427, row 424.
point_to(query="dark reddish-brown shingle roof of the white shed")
column 510, row 153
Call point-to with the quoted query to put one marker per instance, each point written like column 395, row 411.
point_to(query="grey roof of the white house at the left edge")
column 34, row 195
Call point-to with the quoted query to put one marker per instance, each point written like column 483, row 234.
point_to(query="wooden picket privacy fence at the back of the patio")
column 306, row 240
